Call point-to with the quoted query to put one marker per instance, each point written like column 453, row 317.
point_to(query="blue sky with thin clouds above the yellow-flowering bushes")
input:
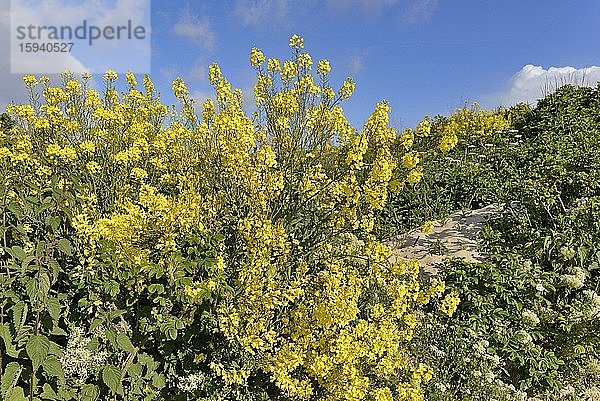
column 424, row 56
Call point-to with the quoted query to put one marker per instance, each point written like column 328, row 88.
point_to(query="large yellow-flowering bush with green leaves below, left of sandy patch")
column 151, row 253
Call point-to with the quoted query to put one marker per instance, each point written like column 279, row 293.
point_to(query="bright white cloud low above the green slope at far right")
column 533, row 82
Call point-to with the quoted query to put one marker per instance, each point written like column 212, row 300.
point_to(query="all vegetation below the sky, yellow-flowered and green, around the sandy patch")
column 162, row 253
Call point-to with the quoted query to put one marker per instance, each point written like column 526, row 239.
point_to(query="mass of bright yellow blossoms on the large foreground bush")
column 312, row 296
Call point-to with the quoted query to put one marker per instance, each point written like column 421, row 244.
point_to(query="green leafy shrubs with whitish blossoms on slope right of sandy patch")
column 528, row 321
